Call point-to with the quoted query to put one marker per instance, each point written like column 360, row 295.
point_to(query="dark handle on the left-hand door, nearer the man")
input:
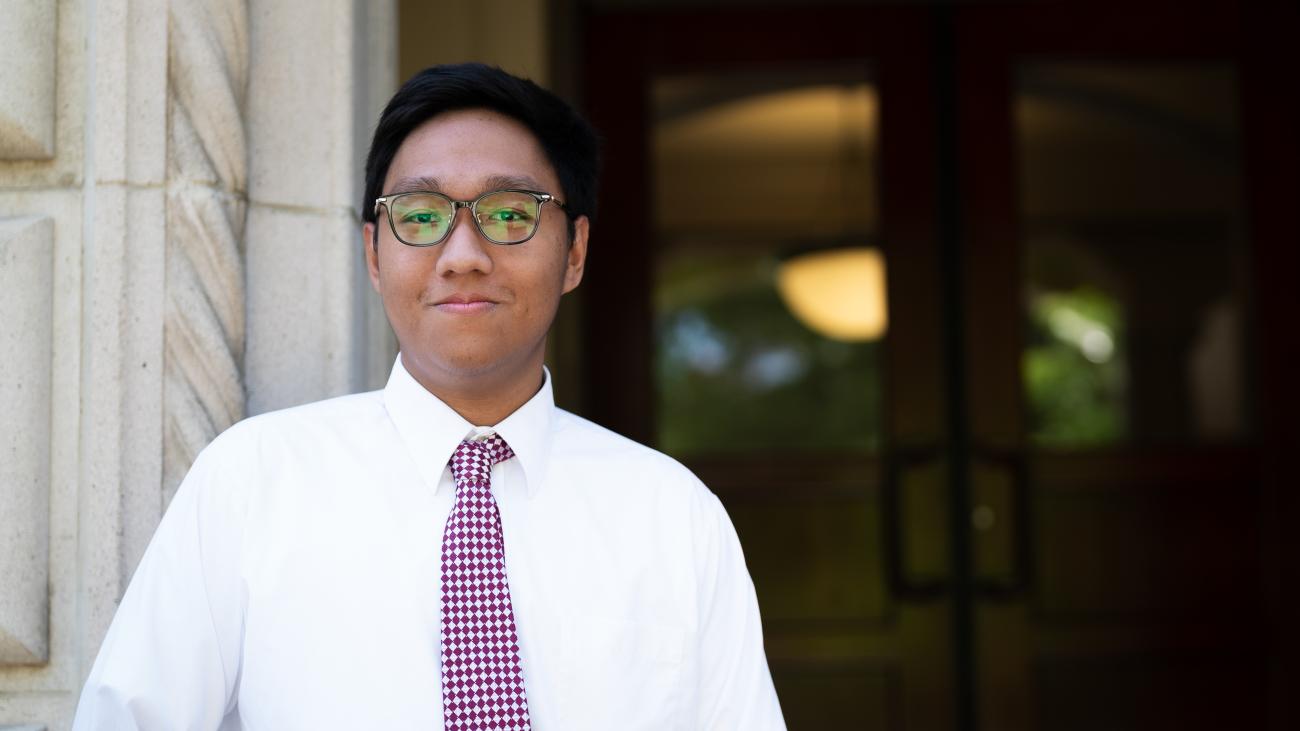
column 899, row 462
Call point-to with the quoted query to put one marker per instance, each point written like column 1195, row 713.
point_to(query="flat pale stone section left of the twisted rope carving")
column 83, row 152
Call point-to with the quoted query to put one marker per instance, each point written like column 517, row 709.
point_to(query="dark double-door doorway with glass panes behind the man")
column 1038, row 499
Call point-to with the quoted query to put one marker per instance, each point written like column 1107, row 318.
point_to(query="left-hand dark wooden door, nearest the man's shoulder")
column 857, row 637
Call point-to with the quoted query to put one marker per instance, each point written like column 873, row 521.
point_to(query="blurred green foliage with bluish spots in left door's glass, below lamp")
column 738, row 373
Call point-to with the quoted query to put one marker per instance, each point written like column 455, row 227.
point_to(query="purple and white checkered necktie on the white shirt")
column 483, row 681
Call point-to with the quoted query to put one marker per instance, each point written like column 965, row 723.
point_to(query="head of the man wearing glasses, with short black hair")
column 473, row 315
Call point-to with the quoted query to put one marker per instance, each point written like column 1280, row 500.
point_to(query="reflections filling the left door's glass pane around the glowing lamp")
column 748, row 170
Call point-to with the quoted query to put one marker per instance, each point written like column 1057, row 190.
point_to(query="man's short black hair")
column 567, row 140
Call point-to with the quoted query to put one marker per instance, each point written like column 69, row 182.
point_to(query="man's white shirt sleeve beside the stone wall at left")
column 171, row 659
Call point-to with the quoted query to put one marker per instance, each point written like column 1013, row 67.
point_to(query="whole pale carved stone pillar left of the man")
column 179, row 248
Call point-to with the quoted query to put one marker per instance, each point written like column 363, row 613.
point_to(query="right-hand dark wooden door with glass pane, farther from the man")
column 1121, row 552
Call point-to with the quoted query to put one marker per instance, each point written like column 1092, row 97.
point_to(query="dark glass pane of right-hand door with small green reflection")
column 1132, row 215
